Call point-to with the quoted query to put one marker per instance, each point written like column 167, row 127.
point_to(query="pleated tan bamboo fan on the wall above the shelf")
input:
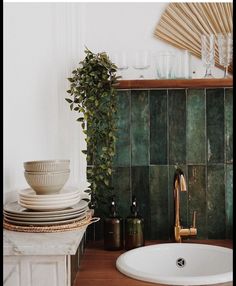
column 182, row 24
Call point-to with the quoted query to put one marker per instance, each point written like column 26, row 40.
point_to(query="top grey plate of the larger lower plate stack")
column 15, row 208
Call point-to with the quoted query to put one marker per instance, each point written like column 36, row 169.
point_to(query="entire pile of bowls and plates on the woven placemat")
column 47, row 202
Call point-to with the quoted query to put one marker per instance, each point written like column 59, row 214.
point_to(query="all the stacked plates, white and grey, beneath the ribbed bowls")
column 65, row 207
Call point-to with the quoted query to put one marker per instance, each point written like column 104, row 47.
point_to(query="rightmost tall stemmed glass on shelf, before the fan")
column 225, row 49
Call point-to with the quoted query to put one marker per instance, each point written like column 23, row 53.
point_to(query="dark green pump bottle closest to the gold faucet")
column 134, row 228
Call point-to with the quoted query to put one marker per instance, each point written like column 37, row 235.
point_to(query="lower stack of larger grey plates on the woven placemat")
column 17, row 215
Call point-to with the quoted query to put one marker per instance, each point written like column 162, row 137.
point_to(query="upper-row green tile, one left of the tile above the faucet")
column 158, row 127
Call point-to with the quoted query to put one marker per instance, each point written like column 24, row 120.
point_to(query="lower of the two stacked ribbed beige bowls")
column 48, row 183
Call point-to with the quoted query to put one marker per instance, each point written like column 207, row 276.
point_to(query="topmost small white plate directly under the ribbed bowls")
column 65, row 193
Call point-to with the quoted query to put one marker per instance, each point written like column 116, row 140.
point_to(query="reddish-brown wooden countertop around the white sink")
column 97, row 266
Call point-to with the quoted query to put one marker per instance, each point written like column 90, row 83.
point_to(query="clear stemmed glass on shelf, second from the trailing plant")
column 141, row 62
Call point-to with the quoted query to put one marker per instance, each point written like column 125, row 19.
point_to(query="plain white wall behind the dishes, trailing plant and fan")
column 43, row 42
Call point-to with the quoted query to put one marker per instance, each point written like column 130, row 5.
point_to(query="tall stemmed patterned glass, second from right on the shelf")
column 208, row 53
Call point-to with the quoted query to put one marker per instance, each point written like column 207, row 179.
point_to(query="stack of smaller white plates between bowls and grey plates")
column 67, row 197
